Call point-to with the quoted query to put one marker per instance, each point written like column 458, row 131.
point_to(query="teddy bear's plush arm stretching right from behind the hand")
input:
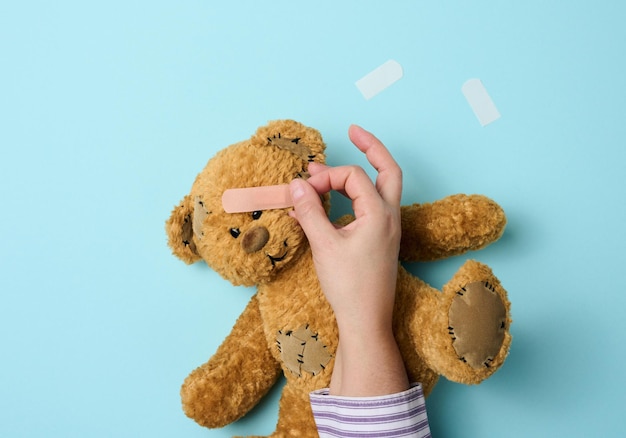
column 448, row 227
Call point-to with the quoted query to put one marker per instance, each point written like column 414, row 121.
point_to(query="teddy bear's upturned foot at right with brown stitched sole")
column 474, row 320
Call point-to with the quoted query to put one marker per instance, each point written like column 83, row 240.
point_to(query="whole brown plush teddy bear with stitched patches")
column 461, row 332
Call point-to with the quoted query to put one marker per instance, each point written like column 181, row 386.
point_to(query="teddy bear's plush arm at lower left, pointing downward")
column 236, row 377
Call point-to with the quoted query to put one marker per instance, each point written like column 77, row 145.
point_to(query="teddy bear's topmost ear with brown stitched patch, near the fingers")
column 301, row 140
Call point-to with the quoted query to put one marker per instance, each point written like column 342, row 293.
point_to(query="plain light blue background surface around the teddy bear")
column 108, row 110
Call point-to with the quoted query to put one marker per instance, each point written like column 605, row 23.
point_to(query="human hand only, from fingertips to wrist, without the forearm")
column 356, row 264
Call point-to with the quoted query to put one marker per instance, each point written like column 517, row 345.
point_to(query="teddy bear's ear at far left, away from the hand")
column 179, row 229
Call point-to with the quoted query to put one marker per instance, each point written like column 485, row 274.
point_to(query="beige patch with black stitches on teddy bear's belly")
column 301, row 350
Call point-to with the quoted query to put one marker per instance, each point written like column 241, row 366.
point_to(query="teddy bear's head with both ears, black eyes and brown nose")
column 246, row 248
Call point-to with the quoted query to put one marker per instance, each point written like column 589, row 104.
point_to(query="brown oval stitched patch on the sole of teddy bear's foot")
column 477, row 323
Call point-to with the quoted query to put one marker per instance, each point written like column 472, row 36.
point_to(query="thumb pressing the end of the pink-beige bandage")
column 309, row 212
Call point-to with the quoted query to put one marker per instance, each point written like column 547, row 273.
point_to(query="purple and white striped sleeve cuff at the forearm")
column 391, row 416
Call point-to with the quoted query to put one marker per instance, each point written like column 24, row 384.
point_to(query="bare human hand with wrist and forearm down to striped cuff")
column 357, row 264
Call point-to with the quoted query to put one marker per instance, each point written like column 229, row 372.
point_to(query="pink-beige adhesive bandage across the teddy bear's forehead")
column 256, row 198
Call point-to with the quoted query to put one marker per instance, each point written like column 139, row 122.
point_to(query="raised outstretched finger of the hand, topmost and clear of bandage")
column 389, row 179
